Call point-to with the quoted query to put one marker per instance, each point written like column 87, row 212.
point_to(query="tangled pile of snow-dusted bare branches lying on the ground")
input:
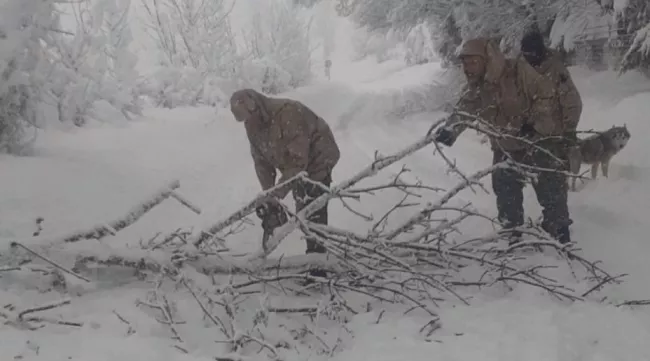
column 407, row 262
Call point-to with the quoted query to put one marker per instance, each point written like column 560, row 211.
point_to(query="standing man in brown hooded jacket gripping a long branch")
column 519, row 103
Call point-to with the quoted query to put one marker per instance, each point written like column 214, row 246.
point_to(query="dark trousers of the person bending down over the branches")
column 303, row 194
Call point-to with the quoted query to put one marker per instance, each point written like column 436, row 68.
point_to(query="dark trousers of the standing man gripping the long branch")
column 550, row 188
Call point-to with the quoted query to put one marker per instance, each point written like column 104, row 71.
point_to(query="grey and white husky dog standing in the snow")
column 596, row 150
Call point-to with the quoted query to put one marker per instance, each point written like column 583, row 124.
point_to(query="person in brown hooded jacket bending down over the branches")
column 286, row 136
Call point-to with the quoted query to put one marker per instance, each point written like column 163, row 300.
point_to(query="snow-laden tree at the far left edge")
column 27, row 27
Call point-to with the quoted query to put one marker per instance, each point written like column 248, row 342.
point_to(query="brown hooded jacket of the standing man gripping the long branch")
column 511, row 94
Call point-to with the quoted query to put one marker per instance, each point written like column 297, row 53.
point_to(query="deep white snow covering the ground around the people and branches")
column 76, row 180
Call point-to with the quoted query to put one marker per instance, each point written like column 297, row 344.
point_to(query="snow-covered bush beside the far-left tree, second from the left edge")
column 94, row 65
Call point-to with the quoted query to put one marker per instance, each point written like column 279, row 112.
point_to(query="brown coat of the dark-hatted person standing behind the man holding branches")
column 569, row 102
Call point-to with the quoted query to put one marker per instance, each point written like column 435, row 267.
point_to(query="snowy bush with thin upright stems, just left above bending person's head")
column 197, row 53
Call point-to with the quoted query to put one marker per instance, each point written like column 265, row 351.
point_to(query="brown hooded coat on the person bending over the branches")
column 286, row 135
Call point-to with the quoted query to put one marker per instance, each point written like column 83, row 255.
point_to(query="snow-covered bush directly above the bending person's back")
column 277, row 48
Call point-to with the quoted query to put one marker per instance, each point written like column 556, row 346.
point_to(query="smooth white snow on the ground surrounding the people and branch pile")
column 78, row 179
